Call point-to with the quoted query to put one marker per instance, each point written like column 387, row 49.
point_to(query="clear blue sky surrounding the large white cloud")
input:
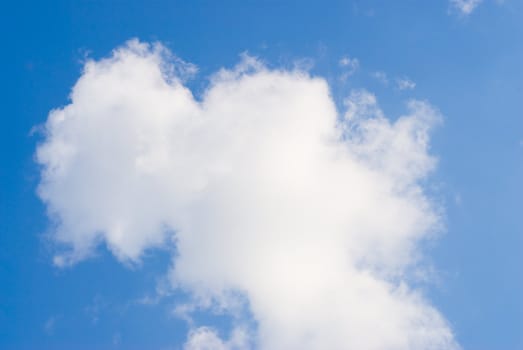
column 467, row 65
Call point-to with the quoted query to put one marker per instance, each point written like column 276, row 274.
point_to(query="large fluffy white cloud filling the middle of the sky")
column 279, row 205
